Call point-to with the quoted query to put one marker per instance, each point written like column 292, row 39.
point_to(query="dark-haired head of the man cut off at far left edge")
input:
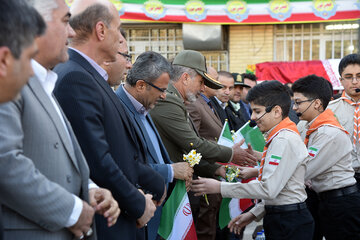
column 16, row 17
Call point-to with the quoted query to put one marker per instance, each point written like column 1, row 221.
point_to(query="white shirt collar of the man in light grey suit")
column 47, row 78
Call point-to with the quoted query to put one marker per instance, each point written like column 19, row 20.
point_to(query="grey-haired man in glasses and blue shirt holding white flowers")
column 145, row 84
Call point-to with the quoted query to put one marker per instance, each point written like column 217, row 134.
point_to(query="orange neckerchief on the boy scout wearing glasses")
column 326, row 118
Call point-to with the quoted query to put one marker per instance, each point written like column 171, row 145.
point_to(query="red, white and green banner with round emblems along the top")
column 236, row 11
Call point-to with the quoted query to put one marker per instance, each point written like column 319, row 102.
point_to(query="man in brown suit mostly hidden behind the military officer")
column 209, row 126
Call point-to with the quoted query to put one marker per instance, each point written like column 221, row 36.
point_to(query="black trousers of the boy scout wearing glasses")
column 340, row 217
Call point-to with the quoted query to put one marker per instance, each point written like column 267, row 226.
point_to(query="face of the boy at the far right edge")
column 350, row 79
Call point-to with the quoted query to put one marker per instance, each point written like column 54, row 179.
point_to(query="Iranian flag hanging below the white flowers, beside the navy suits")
column 176, row 219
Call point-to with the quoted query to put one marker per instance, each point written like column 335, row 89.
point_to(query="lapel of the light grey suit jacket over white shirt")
column 46, row 103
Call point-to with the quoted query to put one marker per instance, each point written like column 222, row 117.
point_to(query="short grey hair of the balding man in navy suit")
column 85, row 22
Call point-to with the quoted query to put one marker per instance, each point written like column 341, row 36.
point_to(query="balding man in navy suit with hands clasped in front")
column 102, row 126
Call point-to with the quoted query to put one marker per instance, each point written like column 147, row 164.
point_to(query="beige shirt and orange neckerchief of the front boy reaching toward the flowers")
column 282, row 177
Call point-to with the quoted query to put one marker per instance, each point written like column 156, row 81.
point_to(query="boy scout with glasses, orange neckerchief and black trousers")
column 329, row 167
